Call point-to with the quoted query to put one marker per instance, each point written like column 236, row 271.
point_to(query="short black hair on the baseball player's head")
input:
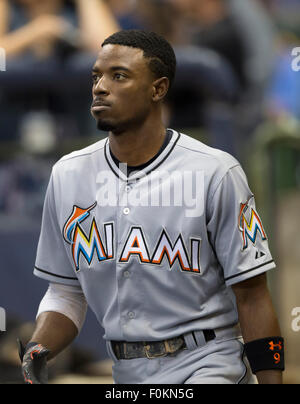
column 162, row 59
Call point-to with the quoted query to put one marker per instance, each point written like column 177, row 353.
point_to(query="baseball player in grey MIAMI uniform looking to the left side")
column 159, row 235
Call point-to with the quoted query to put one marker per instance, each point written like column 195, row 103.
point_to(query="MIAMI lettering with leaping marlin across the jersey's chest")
column 134, row 245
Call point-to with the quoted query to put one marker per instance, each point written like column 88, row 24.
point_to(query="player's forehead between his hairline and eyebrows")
column 111, row 56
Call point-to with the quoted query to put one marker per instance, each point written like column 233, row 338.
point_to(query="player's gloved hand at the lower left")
column 34, row 363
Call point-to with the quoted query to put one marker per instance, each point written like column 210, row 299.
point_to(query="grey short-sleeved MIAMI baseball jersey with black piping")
column 155, row 253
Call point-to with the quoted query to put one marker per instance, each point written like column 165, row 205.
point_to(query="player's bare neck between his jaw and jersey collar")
column 139, row 146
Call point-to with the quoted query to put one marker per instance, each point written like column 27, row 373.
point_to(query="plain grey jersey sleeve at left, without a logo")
column 52, row 262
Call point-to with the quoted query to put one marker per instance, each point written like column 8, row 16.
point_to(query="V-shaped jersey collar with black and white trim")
column 120, row 171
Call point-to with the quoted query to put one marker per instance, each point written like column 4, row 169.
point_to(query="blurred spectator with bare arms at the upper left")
column 37, row 25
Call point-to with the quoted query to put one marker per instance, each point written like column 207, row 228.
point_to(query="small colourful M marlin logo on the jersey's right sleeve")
column 250, row 225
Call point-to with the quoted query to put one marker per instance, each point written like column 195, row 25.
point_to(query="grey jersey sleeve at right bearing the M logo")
column 236, row 230
